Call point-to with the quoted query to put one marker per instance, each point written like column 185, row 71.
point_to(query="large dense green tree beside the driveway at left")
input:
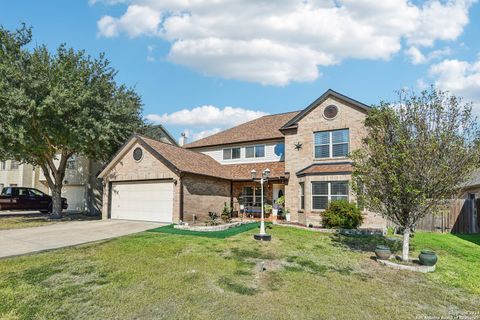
column 55, row 105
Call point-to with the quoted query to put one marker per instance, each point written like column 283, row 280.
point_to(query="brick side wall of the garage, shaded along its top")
column 202, row 195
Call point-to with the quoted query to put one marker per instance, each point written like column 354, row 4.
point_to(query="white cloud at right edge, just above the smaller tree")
column 459, row 77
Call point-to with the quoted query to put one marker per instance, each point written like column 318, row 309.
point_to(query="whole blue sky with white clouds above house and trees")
column 203, row 66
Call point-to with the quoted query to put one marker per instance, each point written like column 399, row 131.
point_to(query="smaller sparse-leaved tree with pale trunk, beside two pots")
column 416, row 155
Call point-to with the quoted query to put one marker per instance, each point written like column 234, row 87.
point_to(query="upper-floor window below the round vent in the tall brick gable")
column 331, row 144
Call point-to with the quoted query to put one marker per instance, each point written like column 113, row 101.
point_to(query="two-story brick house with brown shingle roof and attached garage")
column 306, row 152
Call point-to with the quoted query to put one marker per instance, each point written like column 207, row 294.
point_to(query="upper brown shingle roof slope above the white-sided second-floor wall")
column 264, row 128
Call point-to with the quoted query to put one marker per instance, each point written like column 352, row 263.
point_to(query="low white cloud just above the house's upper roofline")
column 205, row 120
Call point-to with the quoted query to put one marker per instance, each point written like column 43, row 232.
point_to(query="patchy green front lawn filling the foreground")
column 308, row 275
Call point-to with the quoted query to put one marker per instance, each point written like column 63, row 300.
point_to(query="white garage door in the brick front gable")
column 146, row 201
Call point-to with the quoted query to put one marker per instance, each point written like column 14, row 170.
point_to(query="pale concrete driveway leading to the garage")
column 16, row 242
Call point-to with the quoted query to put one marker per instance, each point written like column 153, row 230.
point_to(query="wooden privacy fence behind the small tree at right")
column 459, row 216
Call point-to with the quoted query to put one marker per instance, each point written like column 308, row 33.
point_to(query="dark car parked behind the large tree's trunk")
column 19, row 198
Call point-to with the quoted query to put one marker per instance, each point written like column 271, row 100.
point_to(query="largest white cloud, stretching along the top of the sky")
column 276, row 42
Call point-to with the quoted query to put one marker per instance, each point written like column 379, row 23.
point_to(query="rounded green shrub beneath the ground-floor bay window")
column 342, row 214
